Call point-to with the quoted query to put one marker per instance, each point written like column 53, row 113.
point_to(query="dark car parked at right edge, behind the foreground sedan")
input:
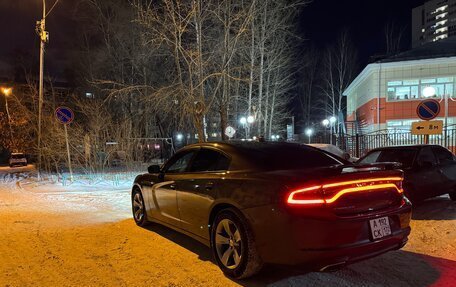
column 429, row 170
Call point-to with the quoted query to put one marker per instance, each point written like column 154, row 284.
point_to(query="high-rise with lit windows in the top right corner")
column 433, row 21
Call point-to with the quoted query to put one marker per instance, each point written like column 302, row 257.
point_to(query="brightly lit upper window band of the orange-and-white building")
column 412, row 89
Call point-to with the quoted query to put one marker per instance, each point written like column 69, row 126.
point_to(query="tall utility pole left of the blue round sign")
column 44, row 38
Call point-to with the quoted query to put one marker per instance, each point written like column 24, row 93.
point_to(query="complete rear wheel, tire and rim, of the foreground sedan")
column 233, row 245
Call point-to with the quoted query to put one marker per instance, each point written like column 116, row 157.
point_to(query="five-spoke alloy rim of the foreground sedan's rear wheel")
column 228, row 243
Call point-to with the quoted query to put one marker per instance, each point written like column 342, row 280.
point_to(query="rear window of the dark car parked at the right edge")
column 405, row 156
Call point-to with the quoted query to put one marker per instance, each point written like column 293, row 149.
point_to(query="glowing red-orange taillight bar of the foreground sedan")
column 331, row 192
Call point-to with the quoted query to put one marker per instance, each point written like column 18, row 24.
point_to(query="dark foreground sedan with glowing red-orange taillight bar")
column 256, row 203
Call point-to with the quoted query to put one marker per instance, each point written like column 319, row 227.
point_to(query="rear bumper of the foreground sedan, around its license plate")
column 283, row 238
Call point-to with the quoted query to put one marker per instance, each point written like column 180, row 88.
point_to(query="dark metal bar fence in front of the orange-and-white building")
column 359, row 145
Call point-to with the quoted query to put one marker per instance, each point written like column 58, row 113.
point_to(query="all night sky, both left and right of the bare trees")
column 320, row 23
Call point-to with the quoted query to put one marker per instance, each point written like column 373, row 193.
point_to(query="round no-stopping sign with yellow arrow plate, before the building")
column 427, row 110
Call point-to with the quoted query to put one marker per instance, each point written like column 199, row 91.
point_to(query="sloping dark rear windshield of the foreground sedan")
column 289, row 157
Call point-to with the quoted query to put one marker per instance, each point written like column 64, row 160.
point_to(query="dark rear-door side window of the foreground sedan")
column 209, row 160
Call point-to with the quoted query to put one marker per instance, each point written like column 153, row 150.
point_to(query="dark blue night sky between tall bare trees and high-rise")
column 323, row 20
